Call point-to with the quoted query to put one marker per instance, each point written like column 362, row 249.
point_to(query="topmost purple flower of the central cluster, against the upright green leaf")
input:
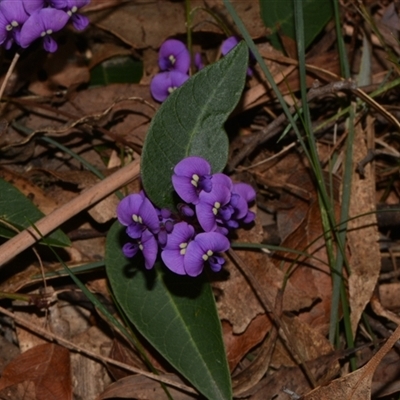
column 191, row 177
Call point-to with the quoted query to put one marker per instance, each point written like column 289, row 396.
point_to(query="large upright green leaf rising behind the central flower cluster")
column 190, row 122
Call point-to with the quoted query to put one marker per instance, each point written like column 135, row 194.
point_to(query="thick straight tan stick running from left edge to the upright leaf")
column 52, row 221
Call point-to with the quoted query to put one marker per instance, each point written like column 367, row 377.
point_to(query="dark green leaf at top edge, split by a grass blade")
column 278, row 16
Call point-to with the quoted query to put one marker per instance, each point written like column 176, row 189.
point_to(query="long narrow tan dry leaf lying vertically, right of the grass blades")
column 363, row 235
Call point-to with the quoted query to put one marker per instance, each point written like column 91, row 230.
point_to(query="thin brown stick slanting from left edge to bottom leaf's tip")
column 71, row 346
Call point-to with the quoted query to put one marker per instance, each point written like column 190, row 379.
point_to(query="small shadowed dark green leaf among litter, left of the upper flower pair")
column 123, row 69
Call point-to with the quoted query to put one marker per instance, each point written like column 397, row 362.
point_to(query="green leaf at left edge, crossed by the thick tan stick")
column 19, row 212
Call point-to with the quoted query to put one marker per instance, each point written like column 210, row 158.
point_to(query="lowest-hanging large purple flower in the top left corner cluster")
column 43, row 23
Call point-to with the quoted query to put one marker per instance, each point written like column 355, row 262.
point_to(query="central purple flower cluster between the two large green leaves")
column 212, row 206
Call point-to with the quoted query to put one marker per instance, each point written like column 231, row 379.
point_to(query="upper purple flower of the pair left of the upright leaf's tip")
column 174, row 56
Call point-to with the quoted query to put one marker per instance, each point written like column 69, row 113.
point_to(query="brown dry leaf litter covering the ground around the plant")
column 49, row 96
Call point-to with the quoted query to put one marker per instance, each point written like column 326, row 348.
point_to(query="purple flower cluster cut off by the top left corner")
column 24, row 21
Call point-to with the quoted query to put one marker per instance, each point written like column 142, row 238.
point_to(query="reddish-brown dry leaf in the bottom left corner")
column 46, row 370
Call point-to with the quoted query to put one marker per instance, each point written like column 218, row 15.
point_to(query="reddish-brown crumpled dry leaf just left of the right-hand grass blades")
column 303, row 229
